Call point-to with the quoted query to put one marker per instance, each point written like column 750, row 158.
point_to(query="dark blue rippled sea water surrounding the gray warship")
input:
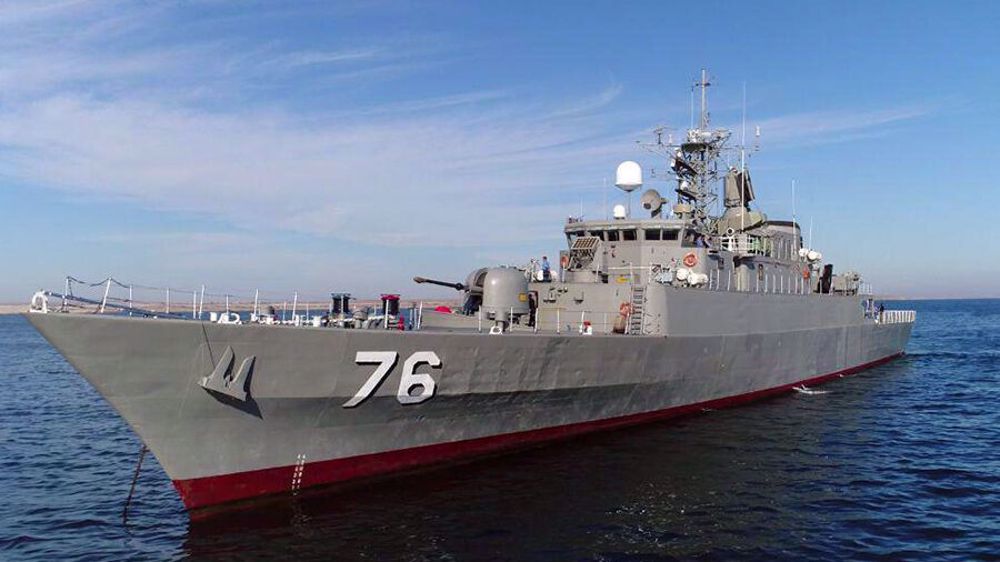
column 899, row 462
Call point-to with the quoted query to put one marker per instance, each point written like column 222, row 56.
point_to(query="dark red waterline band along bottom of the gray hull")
column 213, row 490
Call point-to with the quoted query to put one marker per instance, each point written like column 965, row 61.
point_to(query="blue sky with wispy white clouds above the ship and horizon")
column 335, row 146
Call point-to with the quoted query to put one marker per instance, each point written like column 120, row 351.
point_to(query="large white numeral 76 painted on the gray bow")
column 408, row 381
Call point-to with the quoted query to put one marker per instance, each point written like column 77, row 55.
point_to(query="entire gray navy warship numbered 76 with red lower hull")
column 680, row 309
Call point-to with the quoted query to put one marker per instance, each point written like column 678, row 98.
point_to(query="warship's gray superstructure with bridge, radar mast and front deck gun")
column 617, row 274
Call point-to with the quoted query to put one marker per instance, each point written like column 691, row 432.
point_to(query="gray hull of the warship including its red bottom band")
column 296, row 427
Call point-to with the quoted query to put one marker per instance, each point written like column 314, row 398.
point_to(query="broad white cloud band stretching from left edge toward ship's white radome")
column 444, row 175
